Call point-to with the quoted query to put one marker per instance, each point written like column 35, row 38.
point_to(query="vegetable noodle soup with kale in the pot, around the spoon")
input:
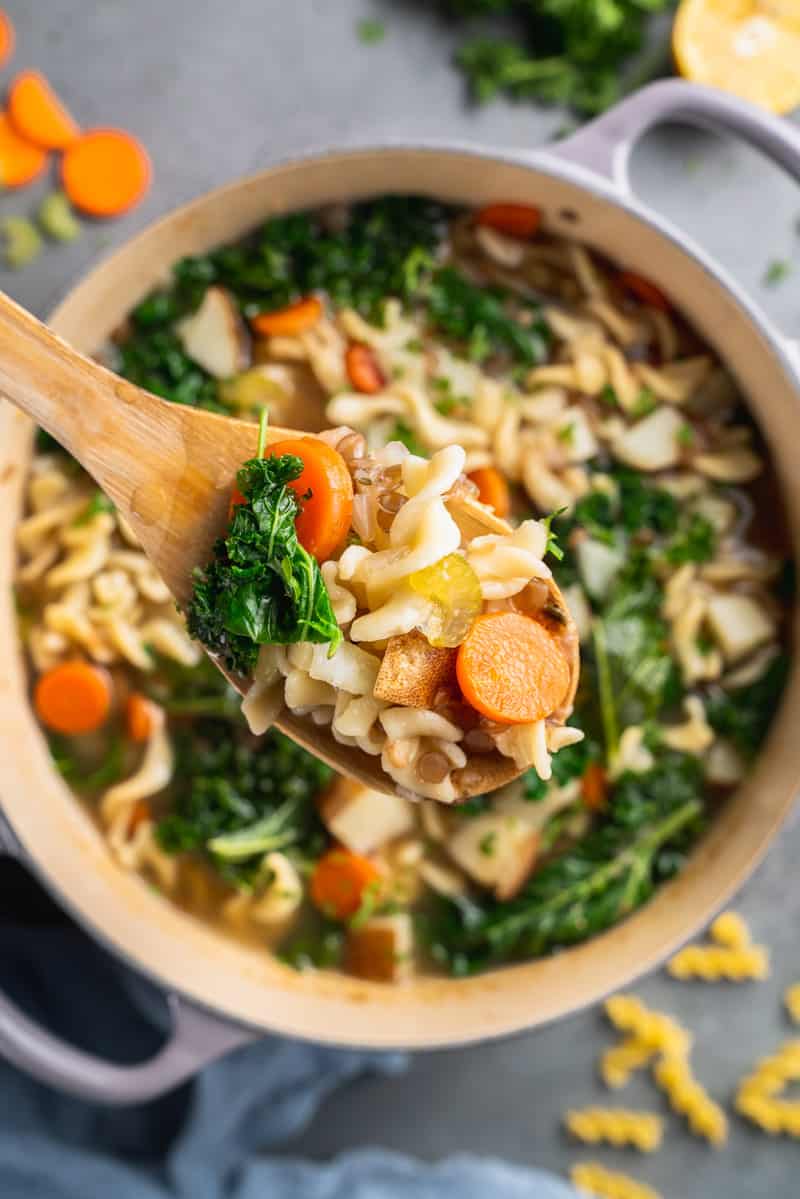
column 581, row 400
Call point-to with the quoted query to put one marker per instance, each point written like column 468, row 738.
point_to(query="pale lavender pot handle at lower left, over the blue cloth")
column 196, row 1039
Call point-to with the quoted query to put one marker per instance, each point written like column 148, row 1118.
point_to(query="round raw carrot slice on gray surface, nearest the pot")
column 106, row 172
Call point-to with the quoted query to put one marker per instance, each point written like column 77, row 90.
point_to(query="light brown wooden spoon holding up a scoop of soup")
column 171, row 471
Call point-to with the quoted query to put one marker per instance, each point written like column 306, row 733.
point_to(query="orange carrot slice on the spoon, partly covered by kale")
column 324, row 520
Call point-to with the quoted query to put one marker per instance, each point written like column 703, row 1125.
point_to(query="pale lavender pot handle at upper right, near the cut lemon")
column 605, row 146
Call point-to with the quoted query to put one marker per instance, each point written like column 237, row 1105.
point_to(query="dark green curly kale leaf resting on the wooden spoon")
column 262, row 588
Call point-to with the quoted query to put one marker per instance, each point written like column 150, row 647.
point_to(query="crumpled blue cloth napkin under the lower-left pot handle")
column 210, row 1140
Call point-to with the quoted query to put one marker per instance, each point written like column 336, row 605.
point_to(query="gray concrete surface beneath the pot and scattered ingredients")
column 219, row 89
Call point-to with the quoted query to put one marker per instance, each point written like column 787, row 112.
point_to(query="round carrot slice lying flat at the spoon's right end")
column 512, row 670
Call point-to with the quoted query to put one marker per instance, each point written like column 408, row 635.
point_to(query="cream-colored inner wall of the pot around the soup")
column 190, row 957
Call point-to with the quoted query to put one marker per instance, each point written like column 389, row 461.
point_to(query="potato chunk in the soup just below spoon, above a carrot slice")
column 363, row 820
